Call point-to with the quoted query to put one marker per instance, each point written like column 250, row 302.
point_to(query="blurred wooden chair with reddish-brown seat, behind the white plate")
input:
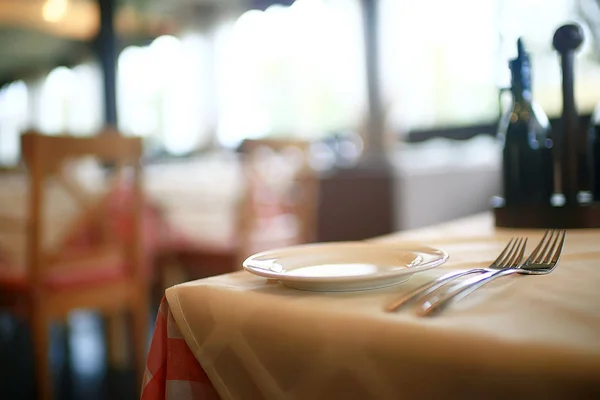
column 277, row 208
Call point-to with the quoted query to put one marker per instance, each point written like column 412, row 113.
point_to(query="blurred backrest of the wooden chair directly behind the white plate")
column 279, row 204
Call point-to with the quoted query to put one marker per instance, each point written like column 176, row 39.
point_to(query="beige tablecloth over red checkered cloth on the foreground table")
column 519, row 337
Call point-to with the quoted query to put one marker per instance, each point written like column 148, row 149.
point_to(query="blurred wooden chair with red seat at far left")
column 107, row 273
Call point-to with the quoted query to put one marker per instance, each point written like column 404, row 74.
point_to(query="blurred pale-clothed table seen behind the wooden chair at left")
column 181, row 209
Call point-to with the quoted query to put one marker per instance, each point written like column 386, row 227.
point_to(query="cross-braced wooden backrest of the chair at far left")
column 56, row 167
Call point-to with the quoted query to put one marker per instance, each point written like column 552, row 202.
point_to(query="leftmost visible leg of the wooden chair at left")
column 41, row 351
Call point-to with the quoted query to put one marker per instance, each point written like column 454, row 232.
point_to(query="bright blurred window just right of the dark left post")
column 163, row 92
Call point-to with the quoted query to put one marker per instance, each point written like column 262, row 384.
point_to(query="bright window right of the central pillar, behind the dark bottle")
column 444, row 62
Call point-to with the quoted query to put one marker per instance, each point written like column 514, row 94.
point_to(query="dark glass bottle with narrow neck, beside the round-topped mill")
column 525, row 135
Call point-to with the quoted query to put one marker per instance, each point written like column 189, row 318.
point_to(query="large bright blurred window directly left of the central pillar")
column 293, row 71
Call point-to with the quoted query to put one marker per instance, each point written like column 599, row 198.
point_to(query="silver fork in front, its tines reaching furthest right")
column 542, row 261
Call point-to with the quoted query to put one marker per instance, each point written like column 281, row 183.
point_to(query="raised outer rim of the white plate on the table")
column 414, row 248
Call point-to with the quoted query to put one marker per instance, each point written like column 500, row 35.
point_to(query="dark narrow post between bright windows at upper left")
column 106, row 49
